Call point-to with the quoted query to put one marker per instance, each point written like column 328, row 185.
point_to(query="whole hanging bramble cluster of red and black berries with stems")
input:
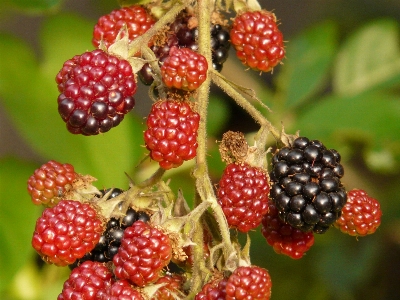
column 148, row 241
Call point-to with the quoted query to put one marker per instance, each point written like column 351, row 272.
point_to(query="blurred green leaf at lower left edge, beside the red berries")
column 17, row 214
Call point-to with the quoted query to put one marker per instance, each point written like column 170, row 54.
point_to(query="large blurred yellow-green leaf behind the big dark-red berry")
column 33, row 108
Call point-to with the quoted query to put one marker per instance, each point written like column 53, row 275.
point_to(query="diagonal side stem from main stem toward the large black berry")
column 222, row 83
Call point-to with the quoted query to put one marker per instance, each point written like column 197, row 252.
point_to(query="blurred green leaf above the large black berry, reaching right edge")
column 370, row 118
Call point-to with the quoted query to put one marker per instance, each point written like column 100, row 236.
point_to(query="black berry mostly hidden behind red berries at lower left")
column 110, row 240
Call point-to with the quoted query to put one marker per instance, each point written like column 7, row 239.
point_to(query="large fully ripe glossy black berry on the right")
column 306, row 187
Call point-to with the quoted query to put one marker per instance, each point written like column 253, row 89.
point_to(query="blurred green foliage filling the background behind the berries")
column 343, row 92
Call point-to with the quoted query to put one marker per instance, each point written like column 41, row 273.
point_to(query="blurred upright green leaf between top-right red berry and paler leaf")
column 309, row 58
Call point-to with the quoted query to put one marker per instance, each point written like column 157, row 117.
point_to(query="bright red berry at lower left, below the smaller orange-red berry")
column 66, row 232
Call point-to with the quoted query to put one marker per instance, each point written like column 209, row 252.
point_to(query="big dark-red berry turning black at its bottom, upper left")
column 96, row 92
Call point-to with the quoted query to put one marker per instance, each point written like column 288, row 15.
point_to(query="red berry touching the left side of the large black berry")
column 243, row 195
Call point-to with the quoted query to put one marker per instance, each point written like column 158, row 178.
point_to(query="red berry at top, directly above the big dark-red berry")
column 135, row 17
